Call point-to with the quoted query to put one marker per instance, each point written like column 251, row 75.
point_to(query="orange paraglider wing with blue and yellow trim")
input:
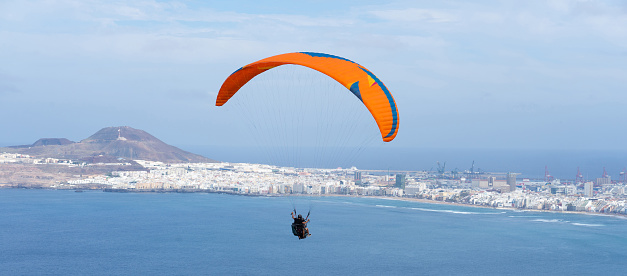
column 356, row 78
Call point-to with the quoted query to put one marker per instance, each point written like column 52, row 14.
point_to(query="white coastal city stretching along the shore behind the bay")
column 495, row 190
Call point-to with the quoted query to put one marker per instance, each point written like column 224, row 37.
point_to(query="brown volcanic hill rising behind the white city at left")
column 109, row 145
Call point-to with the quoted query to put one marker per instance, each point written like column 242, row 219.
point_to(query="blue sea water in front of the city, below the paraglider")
column 52, row 232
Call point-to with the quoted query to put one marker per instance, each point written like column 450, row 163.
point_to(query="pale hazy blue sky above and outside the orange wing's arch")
column 492, row 74
